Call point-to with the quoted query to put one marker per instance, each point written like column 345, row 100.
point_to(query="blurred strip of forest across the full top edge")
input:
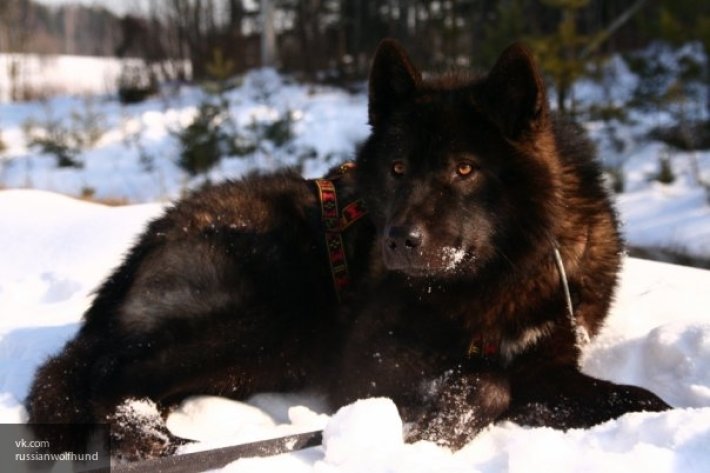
column 333, row 39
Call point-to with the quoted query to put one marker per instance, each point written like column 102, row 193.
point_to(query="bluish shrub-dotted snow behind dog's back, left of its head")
column 136, row 158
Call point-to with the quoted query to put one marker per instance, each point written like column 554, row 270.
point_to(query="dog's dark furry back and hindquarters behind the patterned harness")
column 228, row 293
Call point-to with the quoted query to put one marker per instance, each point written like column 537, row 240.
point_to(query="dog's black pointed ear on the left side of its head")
column 393, row 79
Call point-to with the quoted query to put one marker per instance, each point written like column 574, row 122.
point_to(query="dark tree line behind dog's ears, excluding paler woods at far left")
column 338, row 36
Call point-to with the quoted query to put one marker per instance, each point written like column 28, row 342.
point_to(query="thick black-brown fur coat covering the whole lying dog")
column 470, row 184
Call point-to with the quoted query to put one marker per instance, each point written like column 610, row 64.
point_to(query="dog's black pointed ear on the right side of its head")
column 513, row 94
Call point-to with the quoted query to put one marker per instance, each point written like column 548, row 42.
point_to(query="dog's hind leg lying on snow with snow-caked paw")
column 134, row 391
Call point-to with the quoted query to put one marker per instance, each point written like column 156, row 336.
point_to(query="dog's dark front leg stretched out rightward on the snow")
column 562, row 397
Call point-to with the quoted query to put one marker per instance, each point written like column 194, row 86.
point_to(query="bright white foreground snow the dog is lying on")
column 55, row 250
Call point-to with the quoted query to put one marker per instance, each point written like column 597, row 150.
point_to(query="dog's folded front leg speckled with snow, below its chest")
column 459, row 405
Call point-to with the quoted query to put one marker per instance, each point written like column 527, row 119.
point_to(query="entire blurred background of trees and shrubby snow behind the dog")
column 634, row 73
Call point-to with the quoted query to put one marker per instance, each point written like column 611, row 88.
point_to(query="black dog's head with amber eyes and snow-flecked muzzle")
column 458, row 173
